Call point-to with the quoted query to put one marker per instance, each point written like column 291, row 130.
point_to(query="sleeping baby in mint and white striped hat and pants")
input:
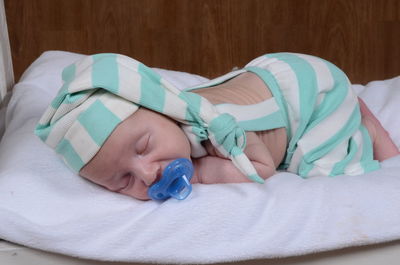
column 119, row 124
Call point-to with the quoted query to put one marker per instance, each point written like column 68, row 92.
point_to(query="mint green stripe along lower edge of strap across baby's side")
column 271, row 121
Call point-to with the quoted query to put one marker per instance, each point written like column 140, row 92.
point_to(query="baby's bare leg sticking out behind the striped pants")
column 383, row 145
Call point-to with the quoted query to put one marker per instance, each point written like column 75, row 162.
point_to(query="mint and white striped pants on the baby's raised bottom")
column 323, row 119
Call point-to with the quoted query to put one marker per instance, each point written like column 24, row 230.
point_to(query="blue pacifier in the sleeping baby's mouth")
column 175, row 181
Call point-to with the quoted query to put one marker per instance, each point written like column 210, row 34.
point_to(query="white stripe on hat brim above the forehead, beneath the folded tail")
column 120, row 107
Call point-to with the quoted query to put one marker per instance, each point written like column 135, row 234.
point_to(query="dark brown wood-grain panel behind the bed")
column 209, row 37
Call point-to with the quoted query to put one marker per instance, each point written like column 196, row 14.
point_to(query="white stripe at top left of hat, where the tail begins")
column 84, row 70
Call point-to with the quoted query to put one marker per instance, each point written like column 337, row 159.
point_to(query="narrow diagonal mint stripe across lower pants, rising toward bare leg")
column 345, row 132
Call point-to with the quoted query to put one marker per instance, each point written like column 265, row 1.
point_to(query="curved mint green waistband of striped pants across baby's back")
column 269, row 79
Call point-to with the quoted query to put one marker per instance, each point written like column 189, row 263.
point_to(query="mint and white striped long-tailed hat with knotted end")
column 102, row 90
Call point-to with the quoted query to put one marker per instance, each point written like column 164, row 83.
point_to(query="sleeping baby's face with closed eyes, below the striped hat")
column 135, row 154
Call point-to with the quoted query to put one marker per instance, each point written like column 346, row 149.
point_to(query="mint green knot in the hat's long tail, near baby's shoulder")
column 227, row 133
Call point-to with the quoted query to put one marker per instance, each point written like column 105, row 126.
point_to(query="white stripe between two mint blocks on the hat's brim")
column 81, row 141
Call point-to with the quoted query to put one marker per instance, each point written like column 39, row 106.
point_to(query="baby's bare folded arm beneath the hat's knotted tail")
column 215, row 168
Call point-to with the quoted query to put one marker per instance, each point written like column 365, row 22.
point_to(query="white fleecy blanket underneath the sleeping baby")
column 44, row 205
